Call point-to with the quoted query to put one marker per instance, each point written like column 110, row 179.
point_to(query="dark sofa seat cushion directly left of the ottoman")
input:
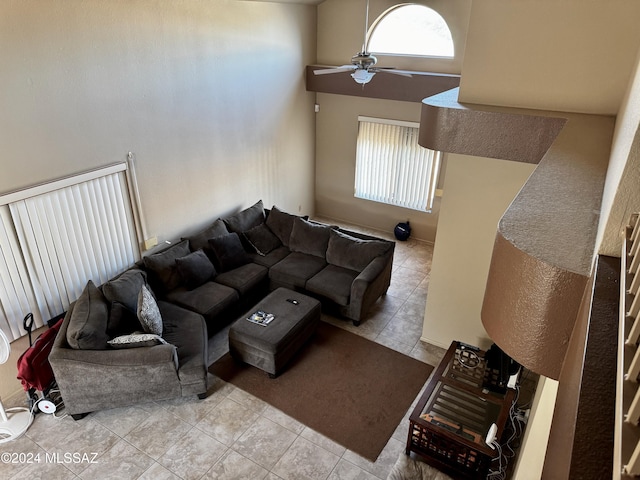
column 209, row 299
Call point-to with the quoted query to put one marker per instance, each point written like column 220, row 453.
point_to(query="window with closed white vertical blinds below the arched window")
column 392, row 168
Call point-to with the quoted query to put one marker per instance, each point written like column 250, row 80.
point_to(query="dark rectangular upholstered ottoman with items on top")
column 270, row 347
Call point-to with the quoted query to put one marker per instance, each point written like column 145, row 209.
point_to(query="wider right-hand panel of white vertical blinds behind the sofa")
column 72, row 235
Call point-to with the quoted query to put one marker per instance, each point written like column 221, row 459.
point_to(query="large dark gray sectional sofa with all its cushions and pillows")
column 176, row 298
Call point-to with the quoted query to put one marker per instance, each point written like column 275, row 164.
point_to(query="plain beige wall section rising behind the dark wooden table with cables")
column 477, row 191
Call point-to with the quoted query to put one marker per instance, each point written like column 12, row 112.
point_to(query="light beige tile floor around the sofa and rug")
column 230, row 434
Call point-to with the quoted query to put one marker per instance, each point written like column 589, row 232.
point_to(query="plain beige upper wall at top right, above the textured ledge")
column 570, row 55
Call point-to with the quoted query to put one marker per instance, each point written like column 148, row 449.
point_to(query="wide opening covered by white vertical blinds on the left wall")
column 56, row 237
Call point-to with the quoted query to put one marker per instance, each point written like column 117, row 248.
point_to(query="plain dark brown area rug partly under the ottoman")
column 344, row 386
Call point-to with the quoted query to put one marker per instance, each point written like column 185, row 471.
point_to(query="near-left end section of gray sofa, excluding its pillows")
column 91, row 380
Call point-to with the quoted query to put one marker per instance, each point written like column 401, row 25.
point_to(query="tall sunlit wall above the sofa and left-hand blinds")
column 210, row 97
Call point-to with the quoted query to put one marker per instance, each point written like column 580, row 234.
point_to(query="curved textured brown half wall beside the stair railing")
column 545, row 247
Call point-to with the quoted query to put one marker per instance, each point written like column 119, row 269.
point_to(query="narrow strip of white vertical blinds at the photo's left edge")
column 16, row 296
